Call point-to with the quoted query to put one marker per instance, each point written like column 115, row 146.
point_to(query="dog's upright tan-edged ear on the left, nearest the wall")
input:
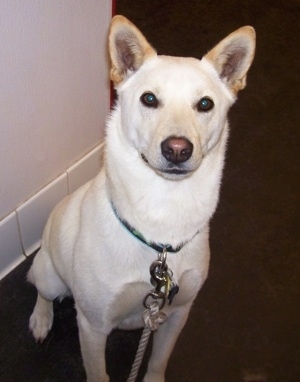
column 128, row 48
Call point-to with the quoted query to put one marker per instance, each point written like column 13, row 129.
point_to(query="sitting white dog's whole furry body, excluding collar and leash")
column 163, row 160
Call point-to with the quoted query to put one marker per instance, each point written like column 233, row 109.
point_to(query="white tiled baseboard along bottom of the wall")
column 21, row 231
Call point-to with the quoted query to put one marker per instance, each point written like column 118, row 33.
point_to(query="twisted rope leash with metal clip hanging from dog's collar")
column 154, row 301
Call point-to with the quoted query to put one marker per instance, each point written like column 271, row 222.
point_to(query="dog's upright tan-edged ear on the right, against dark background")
column 233, row 56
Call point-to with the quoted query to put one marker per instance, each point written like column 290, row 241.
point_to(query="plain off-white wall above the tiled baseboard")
column 54, row 94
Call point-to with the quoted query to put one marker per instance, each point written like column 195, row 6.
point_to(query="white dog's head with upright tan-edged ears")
column 174, row 109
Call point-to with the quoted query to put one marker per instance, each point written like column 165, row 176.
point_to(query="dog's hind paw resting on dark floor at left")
column 40, row 324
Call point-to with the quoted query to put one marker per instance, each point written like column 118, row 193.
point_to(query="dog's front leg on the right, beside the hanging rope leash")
column 163, row 344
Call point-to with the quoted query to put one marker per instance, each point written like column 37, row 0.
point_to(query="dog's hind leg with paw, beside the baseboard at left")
column 49, row 286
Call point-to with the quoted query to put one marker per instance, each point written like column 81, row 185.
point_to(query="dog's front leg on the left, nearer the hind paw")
column 92, row 343
